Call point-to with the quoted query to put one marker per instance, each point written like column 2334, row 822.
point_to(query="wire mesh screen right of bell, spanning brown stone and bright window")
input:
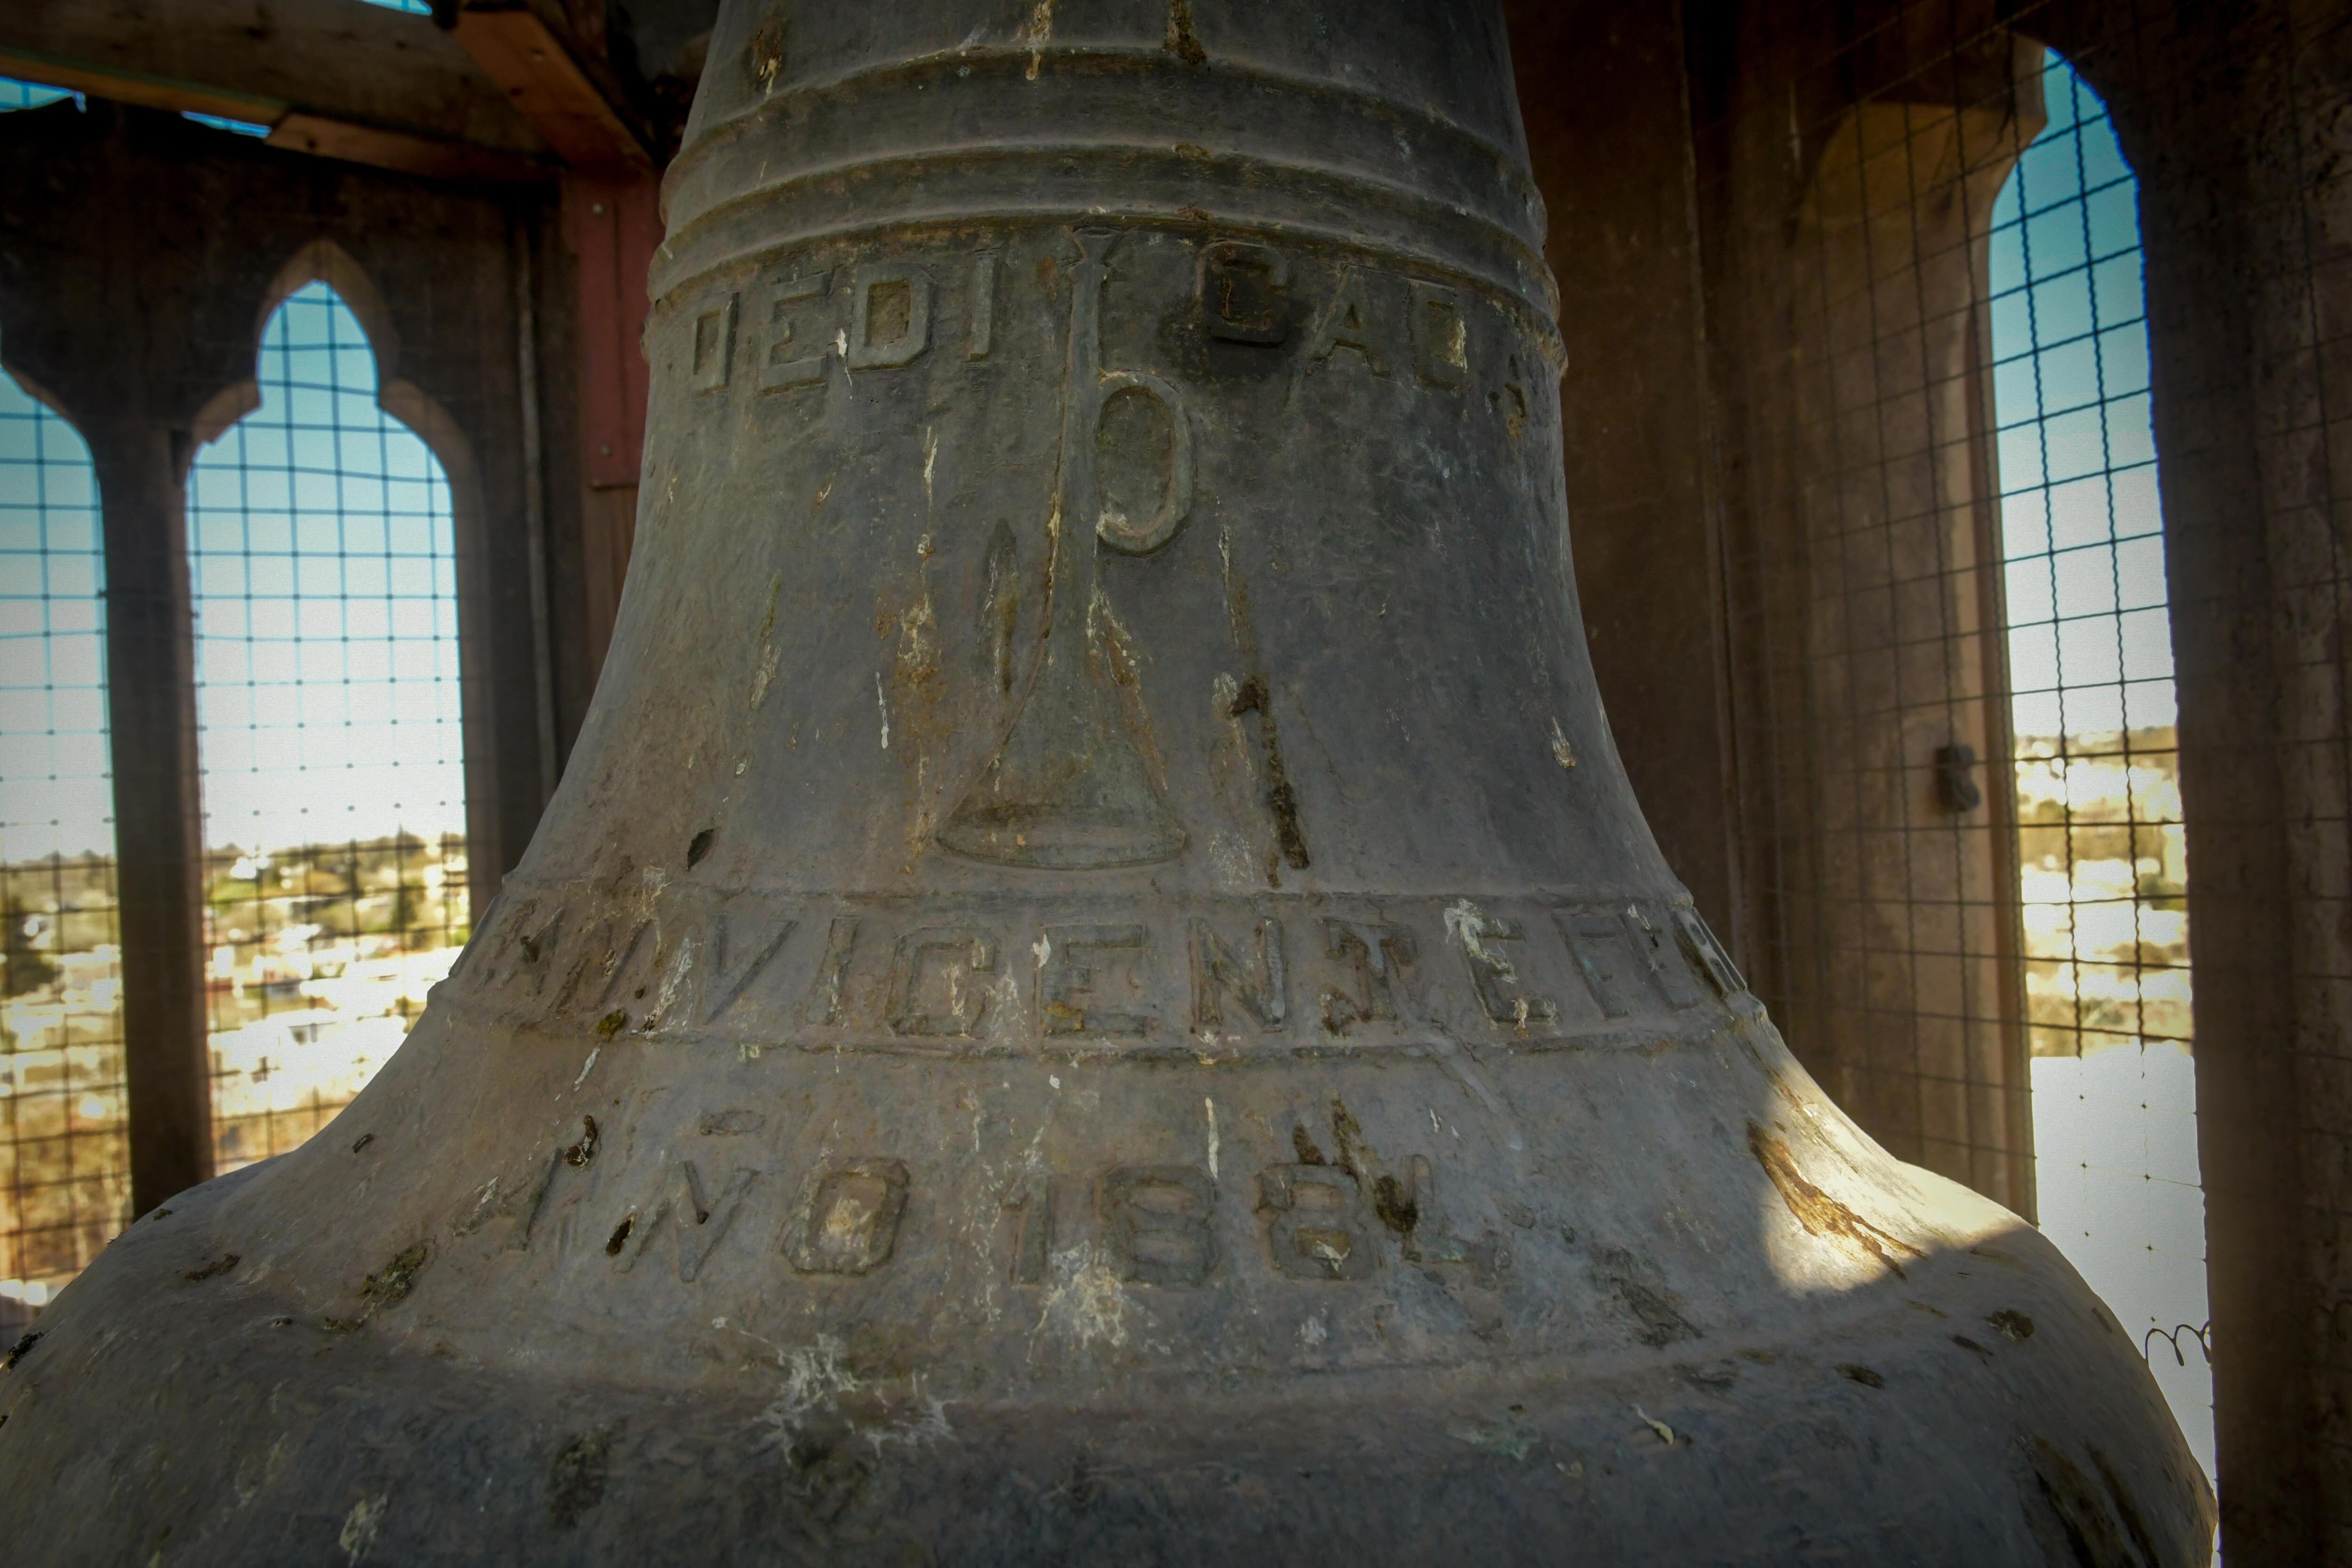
column 1951, row 605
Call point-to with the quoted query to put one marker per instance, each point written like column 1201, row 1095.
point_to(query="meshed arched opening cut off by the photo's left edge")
column 65, row 1162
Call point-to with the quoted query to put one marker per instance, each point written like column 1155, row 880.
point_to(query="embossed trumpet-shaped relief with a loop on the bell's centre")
column 1069, row 786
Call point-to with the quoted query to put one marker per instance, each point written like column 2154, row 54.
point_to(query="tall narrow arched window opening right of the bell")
column 2102, row 845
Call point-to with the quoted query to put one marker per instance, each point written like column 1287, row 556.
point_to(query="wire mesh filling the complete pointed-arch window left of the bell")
column 328, row 704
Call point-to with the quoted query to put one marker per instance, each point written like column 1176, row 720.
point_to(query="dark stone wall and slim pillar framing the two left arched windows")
column 140, row 257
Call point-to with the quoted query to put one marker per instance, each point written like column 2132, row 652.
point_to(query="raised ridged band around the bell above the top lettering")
column 1396, row 180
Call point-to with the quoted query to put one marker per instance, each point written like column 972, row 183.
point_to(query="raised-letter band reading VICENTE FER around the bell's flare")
column 1222, row 977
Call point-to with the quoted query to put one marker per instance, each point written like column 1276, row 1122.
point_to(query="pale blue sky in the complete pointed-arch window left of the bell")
column 326, row 603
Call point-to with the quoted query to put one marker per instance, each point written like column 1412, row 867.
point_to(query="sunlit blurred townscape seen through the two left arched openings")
column 321, row 960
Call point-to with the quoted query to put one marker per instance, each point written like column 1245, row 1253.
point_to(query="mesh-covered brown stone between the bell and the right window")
column 1892, row 909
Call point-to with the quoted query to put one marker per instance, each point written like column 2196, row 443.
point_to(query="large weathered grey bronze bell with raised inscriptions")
column 1095, row 989
